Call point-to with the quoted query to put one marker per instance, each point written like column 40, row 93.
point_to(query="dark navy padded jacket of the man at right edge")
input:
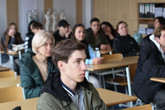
column 150, row 64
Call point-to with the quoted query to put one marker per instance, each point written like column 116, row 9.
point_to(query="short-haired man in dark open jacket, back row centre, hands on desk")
column 95, row 36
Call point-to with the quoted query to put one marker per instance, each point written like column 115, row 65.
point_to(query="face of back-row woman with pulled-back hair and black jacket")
column 122, row 29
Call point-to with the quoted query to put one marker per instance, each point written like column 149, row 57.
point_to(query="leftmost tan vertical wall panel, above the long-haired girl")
column 12, row 12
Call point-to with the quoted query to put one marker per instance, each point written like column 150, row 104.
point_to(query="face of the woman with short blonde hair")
column 45, row 49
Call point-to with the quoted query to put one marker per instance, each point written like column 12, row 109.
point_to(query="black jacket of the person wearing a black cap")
column 58, row 37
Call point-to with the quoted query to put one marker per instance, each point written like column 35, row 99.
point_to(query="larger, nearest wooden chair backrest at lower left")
column 11, row 94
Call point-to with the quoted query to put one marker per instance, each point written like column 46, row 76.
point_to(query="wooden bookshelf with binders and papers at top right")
column 146, row 14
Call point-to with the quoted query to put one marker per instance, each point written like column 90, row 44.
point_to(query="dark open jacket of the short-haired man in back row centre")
column 90, row 38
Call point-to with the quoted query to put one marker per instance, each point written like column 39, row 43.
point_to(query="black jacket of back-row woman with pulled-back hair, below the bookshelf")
column 125, row 45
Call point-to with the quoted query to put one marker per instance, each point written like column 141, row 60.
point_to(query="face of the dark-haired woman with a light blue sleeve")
column 80, row 33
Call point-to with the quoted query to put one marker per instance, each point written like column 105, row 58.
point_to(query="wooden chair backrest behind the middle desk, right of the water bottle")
column 112, row 57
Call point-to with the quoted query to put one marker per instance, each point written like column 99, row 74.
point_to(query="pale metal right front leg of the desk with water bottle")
column 129, row 84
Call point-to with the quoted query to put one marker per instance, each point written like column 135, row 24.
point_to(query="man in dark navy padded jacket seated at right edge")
column 153, row 66
